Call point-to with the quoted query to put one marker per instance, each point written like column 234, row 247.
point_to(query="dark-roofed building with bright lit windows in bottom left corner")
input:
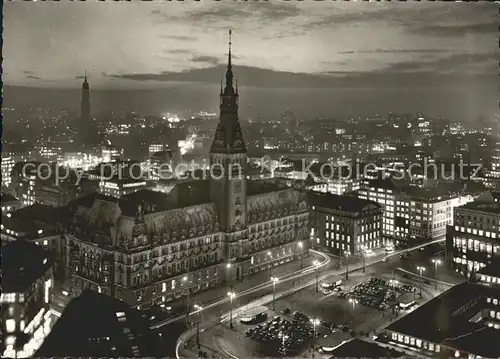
column 27, row 287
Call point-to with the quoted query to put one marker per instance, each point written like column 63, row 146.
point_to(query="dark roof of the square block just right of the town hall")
column 342, row 203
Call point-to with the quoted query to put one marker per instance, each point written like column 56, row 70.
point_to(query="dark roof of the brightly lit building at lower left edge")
column 23, row 262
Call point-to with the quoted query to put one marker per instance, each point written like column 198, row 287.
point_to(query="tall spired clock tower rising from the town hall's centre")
column 228, row 160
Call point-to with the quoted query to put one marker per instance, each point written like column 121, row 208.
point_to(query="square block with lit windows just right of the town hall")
column 345, row 225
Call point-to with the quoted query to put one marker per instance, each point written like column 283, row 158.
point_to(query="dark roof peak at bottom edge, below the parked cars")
column 357, row 348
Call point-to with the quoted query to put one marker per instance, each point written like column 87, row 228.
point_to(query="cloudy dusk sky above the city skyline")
column 416, row 51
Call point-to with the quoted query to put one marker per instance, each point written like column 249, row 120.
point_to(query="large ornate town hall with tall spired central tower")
column 148, row 248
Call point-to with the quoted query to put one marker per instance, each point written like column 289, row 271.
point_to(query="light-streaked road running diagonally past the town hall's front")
column 299, row 280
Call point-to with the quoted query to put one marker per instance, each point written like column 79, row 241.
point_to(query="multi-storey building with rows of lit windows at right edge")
column 474, row 239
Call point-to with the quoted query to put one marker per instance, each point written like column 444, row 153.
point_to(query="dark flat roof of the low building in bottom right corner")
column 448, row 321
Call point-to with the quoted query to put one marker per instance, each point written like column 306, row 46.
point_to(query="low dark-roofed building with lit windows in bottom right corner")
column 463, row 322
